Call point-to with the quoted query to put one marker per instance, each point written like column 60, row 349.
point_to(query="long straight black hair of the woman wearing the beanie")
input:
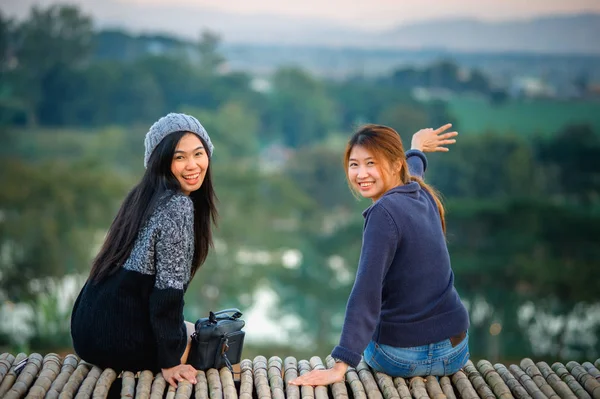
column 142, row 201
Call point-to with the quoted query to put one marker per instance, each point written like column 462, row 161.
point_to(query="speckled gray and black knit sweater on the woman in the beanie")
column 134, row 319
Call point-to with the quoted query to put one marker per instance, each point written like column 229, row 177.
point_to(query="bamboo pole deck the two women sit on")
column 54, row 377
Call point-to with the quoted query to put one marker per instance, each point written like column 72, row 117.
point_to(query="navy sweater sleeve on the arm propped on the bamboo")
column 380, row 240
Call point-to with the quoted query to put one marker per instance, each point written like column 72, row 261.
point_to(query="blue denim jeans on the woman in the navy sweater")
column 433, row 359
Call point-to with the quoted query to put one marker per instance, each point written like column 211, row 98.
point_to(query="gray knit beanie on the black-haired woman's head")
column 172, row 123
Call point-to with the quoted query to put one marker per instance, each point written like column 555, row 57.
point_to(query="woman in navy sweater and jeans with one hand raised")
column 404, row 316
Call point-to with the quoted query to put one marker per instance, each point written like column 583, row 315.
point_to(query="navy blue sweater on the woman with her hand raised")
column 404, row 293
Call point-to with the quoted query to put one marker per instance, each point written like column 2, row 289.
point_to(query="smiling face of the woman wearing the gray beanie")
column 190, row 162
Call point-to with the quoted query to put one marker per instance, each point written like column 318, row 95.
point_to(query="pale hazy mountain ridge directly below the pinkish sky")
column 553, row 34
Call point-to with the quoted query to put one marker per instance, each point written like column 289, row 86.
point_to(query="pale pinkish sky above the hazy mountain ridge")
column 373, row 14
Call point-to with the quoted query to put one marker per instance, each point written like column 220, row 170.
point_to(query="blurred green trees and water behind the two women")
column 521, row 187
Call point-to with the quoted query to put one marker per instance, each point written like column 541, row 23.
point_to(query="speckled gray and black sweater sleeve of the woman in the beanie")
column 167, row 297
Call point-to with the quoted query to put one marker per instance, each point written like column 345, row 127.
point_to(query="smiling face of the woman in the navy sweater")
column 370, row 176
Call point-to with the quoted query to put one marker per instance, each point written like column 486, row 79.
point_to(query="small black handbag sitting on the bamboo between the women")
column 218, row 340
